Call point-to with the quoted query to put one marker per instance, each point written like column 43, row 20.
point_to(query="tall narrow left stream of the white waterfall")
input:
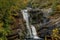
column 26, row 16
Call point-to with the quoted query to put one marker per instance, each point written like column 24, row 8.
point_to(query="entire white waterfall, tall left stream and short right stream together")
column 31, row 29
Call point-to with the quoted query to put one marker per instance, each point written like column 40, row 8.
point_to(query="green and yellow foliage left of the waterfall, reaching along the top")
column 6, row 6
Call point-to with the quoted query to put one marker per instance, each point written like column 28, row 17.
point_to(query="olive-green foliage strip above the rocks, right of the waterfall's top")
column 44, row 3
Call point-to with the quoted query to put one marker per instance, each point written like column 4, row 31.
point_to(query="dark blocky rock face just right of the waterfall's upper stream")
column 35, row 16
